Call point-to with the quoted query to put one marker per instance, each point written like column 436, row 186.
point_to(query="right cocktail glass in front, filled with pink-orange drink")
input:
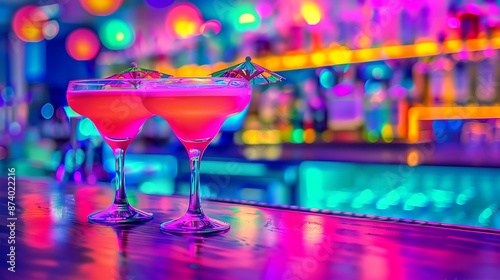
column 196, row 108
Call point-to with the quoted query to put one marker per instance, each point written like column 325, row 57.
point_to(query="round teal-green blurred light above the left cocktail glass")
column 117, row 34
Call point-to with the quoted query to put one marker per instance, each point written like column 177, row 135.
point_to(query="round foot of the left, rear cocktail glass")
column 120, row 214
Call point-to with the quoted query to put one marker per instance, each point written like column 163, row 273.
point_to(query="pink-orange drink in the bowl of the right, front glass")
column 196, row 114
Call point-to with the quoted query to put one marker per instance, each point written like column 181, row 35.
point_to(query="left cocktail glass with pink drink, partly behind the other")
column 115, row 108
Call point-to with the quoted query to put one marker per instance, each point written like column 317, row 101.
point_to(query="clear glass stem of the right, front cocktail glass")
column 194, row 192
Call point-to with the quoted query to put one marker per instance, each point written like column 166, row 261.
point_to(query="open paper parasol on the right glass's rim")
column 254, row 73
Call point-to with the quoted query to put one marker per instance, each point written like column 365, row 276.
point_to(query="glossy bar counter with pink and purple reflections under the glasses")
column 55, row 241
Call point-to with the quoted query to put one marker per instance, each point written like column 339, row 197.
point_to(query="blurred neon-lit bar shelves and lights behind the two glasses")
column 390, row 107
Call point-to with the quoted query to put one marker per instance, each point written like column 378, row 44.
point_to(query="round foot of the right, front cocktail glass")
column 190, row 224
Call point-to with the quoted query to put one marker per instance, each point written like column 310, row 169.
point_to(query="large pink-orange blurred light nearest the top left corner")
column 28, row 23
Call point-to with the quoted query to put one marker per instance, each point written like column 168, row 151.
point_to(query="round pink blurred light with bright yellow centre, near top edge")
column 183, row 21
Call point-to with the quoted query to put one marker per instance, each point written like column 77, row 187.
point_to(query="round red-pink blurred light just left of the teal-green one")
column 82, row 44
